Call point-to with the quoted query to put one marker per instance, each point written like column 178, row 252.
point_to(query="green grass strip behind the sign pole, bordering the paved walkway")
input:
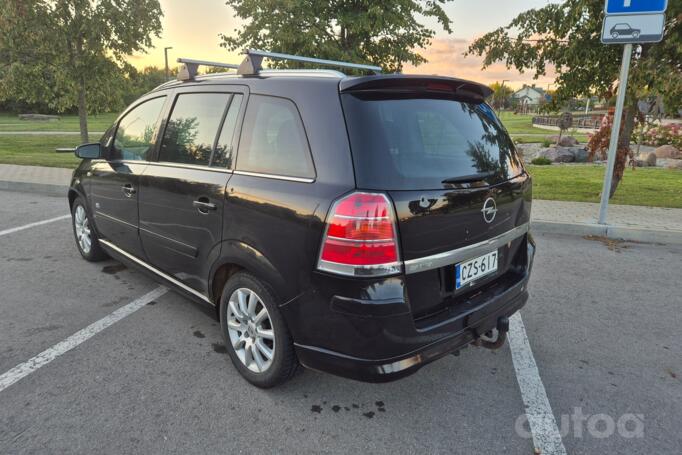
column 643, row 186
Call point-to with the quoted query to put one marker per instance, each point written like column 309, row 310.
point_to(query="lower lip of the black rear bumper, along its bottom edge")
column 476, row 322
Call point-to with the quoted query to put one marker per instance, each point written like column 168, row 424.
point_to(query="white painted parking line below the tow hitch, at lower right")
column 543, row 427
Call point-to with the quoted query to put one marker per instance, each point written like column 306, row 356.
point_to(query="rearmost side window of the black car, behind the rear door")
column 273, row 140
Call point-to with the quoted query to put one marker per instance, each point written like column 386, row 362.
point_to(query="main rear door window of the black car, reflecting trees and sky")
column 192, row 128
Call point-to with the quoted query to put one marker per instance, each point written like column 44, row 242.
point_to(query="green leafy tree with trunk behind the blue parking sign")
column 566, row 36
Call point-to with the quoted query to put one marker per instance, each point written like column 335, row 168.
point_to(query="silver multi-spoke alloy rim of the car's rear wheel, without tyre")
column 250, row 330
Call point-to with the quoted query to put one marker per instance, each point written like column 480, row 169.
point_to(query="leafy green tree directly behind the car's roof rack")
column 383, row 32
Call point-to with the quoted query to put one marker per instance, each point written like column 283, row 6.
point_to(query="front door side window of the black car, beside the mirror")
column 136, row 131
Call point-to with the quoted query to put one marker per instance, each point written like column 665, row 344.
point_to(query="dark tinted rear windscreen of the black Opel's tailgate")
column 418, row 142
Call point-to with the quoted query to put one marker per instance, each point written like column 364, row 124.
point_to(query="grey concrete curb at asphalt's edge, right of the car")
column 634, row 234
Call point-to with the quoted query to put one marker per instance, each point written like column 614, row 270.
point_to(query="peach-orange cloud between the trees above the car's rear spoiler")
column 445, row 58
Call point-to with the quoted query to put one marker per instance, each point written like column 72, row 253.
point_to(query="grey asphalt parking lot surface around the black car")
column 603, row 322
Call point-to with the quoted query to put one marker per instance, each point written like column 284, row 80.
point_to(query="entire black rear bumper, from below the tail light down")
column 372, row 335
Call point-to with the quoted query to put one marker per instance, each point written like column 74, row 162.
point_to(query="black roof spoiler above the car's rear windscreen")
column 403, row 83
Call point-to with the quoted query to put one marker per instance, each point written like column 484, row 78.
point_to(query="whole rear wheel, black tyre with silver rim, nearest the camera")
column 242, row 302
